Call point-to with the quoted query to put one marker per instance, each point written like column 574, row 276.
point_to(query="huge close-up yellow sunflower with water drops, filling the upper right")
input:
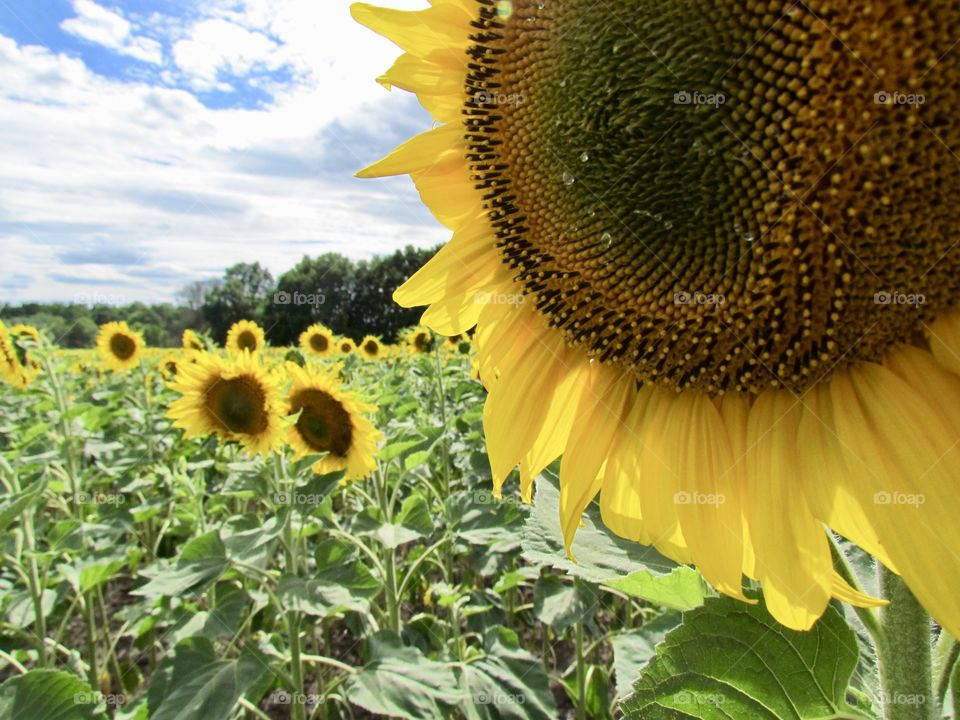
column 713, row 267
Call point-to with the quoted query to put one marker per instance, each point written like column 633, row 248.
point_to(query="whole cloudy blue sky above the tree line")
column 147, row 144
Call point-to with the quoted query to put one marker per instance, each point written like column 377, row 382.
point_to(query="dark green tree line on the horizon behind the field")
column 352, row 298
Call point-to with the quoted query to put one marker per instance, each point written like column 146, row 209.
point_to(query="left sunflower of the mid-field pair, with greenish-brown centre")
column 236, row 399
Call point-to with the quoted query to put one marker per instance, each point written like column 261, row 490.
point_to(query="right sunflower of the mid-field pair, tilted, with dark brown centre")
column 331, row 421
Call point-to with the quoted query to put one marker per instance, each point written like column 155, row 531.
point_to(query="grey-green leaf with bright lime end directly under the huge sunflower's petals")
column 602, row 557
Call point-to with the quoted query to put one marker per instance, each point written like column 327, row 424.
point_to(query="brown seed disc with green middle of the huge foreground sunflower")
column 723, row 195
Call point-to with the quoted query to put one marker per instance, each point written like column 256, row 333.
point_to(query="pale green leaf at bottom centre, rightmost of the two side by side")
column 507, row 682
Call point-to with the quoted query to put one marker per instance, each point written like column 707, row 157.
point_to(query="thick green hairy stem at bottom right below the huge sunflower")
column 904, row 653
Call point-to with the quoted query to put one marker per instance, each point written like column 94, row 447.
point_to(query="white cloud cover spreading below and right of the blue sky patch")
column 92, row 162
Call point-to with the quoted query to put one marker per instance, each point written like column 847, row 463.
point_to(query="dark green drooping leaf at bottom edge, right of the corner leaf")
column 192, row 684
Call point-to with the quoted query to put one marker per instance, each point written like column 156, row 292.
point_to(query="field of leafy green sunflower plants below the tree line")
column 147, row 575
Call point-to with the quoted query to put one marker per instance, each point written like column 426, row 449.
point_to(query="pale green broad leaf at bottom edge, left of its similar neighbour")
column 400, row 682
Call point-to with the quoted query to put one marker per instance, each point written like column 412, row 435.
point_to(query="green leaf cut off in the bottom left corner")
column 47, row 695
